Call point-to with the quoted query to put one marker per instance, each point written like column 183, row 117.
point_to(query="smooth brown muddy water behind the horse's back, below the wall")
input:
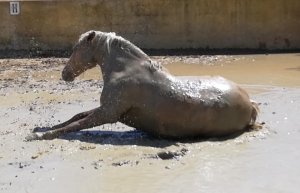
column 274, row 70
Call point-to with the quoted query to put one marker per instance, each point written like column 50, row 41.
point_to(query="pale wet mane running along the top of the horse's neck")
column 108, row 39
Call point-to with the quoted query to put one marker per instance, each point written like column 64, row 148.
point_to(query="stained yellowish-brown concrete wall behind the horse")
column 158, row 24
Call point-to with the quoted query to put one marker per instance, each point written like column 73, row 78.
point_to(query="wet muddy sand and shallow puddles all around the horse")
column 116, row 158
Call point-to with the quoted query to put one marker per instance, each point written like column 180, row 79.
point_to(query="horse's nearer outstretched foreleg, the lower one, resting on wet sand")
column 97, row 117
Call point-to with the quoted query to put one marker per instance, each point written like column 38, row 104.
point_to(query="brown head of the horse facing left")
column 82, row 57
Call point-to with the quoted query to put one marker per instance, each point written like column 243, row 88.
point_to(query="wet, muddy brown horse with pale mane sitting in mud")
column 140, row 93
